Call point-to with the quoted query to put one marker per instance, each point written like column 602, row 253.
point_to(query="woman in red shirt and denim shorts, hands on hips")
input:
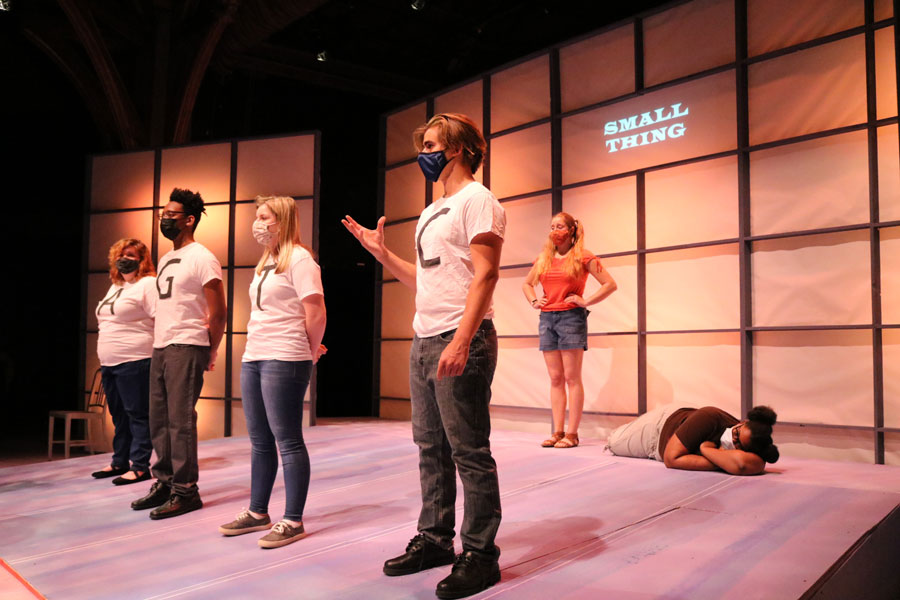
column 562, row 269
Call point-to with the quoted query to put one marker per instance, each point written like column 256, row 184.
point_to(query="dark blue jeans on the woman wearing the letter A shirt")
column 127, row 387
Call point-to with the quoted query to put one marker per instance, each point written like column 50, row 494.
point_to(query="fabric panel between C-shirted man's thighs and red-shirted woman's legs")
column 521, row 376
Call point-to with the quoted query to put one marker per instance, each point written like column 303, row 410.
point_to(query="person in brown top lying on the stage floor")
column 700, row 439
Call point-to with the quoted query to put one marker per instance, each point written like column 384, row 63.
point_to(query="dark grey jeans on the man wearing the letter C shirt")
column 452, row 427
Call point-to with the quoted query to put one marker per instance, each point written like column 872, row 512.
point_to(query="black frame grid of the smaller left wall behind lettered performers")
column 229, row 393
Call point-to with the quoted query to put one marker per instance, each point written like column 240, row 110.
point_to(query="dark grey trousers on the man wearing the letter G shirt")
column 176, row 377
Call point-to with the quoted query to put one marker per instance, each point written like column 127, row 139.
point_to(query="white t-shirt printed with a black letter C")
column 444, row 268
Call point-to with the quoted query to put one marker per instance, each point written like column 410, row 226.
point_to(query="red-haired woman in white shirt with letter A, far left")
column 125, row 319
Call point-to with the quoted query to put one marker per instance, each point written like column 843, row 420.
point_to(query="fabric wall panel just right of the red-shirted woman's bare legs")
column 609, row 374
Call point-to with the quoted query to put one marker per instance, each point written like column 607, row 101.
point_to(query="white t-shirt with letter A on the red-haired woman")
column 125, row 317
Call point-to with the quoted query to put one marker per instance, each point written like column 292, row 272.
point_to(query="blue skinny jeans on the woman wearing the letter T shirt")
column 272, row 394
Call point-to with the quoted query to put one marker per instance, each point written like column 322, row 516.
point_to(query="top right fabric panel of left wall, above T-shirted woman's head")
column 276, row 167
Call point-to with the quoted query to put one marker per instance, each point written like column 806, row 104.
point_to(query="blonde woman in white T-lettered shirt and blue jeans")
column 284, row 335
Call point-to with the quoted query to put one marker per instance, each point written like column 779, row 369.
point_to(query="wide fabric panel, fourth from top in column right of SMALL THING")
column 812, row 280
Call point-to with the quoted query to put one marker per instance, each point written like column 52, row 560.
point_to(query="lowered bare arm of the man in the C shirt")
column 485, row 249
